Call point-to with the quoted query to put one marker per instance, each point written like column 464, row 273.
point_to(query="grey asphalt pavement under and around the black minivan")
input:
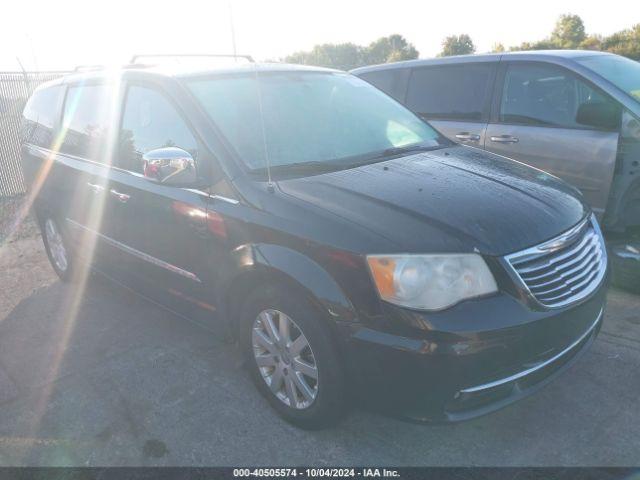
column 113, row 380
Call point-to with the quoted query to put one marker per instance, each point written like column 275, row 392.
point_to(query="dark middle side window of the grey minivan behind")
column 450, row 92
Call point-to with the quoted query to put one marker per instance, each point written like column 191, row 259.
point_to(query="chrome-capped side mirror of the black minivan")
column 170, row 166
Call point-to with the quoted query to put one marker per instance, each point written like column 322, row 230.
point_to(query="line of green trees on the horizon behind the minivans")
column 569, row 33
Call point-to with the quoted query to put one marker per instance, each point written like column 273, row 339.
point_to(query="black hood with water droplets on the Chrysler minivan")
column 456, row 199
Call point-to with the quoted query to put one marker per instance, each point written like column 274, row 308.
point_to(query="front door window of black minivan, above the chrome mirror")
column 149, row 122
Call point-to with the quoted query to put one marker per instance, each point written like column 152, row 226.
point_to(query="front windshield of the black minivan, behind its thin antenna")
column 312, row 120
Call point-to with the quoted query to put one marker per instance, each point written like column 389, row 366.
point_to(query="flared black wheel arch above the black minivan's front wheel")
column 251, row 261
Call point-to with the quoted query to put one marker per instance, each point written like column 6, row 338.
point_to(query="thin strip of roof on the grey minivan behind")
column 488, row 57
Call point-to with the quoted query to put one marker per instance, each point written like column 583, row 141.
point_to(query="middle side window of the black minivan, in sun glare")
column 86, row 121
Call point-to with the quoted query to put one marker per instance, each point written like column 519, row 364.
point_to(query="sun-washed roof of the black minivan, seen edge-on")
column 185, row 71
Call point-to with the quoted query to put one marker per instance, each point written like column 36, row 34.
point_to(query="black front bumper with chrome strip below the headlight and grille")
column 468, row 361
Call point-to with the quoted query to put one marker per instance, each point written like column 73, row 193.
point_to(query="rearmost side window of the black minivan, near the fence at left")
column 40, row 115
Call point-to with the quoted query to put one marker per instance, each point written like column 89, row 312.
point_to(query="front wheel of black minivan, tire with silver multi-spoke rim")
column 277, row 303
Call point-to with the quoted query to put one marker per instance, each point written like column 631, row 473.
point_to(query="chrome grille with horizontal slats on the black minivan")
column 565, row 269
